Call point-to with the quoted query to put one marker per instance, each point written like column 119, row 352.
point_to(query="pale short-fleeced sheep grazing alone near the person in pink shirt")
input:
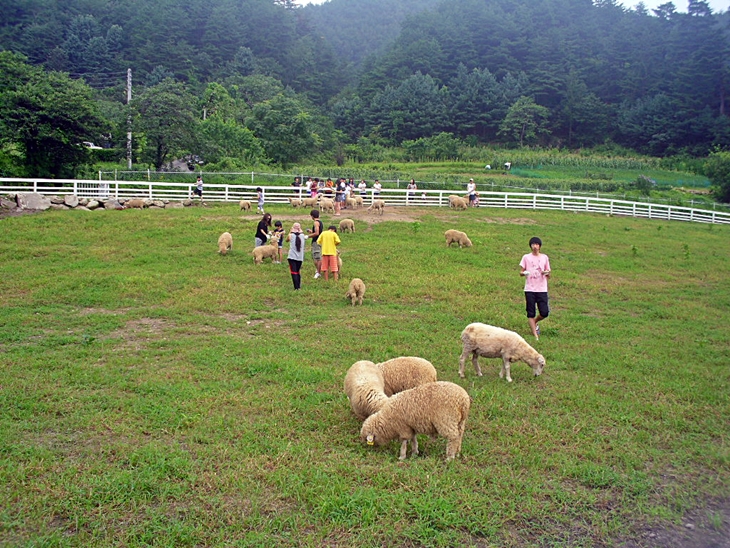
column 479, row 339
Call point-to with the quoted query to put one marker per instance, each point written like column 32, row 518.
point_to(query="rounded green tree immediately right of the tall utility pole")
column 165, row 119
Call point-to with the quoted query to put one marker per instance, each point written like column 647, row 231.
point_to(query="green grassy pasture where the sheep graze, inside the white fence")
column 156, row 393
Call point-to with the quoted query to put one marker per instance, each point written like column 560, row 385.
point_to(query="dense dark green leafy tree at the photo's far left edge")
column 46, row 116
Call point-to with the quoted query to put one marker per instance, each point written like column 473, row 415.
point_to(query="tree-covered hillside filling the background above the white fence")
column 251, row 82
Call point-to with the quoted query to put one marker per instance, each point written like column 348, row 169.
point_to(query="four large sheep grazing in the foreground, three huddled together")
column 401, row 398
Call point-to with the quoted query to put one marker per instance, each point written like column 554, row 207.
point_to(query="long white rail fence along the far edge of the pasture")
column 393, row 197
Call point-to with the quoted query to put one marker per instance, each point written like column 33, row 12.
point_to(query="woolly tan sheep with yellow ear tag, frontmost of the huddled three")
column 433, row 408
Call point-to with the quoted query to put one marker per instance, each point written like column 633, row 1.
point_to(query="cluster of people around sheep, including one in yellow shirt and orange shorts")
column 324, row 246
